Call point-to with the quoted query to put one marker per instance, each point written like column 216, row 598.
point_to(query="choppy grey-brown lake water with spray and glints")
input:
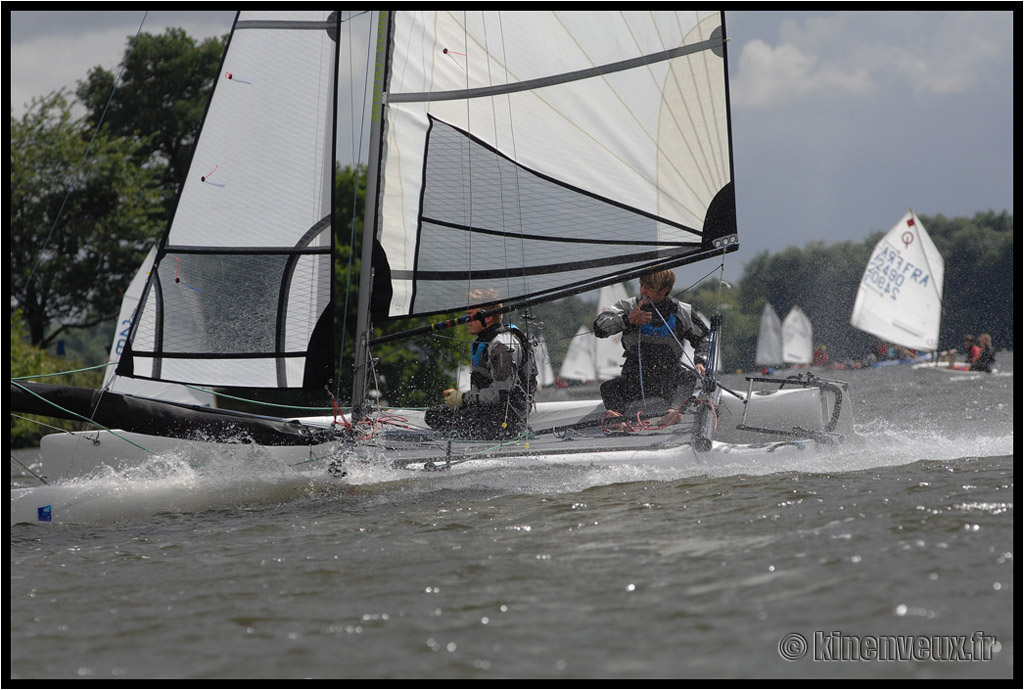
column 892, row 558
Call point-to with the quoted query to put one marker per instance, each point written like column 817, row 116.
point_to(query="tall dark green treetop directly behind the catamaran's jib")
column 165, row 87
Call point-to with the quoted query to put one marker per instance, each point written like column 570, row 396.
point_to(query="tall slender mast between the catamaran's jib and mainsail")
column 361, row 365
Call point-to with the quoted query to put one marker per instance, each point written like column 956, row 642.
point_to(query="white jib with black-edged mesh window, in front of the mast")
column 244, row 271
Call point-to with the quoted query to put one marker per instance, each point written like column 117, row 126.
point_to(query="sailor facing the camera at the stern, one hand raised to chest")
column 654, row 328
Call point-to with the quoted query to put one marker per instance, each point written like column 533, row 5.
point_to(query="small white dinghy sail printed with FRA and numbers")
column 901, row 295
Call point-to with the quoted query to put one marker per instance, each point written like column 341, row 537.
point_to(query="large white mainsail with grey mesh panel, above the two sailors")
column 526, row 153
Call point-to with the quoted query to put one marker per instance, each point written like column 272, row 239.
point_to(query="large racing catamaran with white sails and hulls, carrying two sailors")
column 535, row 155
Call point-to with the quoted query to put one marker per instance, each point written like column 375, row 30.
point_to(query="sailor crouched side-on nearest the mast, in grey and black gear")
column 502, row 384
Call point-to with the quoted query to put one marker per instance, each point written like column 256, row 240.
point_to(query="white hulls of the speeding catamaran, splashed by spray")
column 73, row 462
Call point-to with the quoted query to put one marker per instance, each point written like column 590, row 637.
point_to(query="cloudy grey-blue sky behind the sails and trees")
column 842, row 121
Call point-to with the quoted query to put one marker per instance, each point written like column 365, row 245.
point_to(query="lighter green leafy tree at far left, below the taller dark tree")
column 82, row 215
